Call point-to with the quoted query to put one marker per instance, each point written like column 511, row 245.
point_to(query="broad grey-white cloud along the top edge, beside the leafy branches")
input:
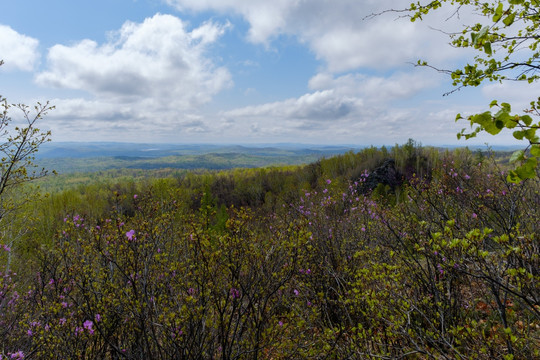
column 337, row 32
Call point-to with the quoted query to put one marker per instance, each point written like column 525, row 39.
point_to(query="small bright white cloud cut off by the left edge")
column 18, row 51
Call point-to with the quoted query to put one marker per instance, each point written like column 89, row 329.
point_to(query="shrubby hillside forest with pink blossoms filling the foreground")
column 409, row 252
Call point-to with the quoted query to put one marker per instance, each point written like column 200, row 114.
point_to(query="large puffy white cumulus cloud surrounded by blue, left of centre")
column 157, row 59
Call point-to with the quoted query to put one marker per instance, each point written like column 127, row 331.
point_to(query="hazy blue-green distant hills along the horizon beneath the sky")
column 79, row 157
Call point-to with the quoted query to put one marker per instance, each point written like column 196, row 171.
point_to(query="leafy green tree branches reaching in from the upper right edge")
column 507, row 44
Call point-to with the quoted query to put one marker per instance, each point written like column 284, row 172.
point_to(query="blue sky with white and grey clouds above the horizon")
column 240, row 71
